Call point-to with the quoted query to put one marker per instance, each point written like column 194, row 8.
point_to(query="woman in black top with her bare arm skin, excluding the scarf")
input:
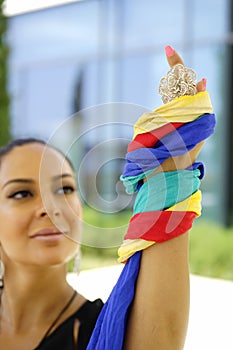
column 39, row 310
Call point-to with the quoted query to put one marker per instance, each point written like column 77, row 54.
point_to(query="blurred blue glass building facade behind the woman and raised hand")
column 69, row 58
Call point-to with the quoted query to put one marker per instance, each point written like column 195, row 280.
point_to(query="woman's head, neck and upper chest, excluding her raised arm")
column 36, row 206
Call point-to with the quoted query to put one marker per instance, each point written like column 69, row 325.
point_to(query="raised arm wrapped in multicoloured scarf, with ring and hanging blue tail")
column 149, row 305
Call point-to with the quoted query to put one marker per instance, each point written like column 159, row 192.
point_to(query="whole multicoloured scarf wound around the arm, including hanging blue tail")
column 166, row 204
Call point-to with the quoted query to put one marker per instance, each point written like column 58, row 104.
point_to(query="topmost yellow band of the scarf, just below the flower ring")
column 182, row 109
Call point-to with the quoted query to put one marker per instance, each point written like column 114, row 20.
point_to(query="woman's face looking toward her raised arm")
column 38, row 204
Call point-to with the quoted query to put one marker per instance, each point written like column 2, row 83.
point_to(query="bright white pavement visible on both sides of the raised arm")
column 211, row 311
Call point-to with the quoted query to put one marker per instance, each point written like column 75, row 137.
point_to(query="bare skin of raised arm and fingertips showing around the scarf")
column 159, row 314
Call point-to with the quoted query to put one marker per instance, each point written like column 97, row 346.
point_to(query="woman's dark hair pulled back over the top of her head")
column 25, row 141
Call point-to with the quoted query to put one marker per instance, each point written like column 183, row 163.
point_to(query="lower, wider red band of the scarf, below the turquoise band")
column 159, row 226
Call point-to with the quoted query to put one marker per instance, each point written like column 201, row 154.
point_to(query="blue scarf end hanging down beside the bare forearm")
column 110, row 327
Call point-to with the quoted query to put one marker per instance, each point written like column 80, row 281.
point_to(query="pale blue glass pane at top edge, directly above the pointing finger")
column 149, row 23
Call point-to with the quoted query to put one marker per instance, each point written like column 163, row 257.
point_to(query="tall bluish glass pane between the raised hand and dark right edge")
column 212, row 64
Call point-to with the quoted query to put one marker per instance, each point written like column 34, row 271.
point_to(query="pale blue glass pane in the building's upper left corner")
column 56, row 33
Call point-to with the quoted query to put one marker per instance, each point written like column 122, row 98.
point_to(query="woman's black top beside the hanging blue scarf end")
column 62, row 338
